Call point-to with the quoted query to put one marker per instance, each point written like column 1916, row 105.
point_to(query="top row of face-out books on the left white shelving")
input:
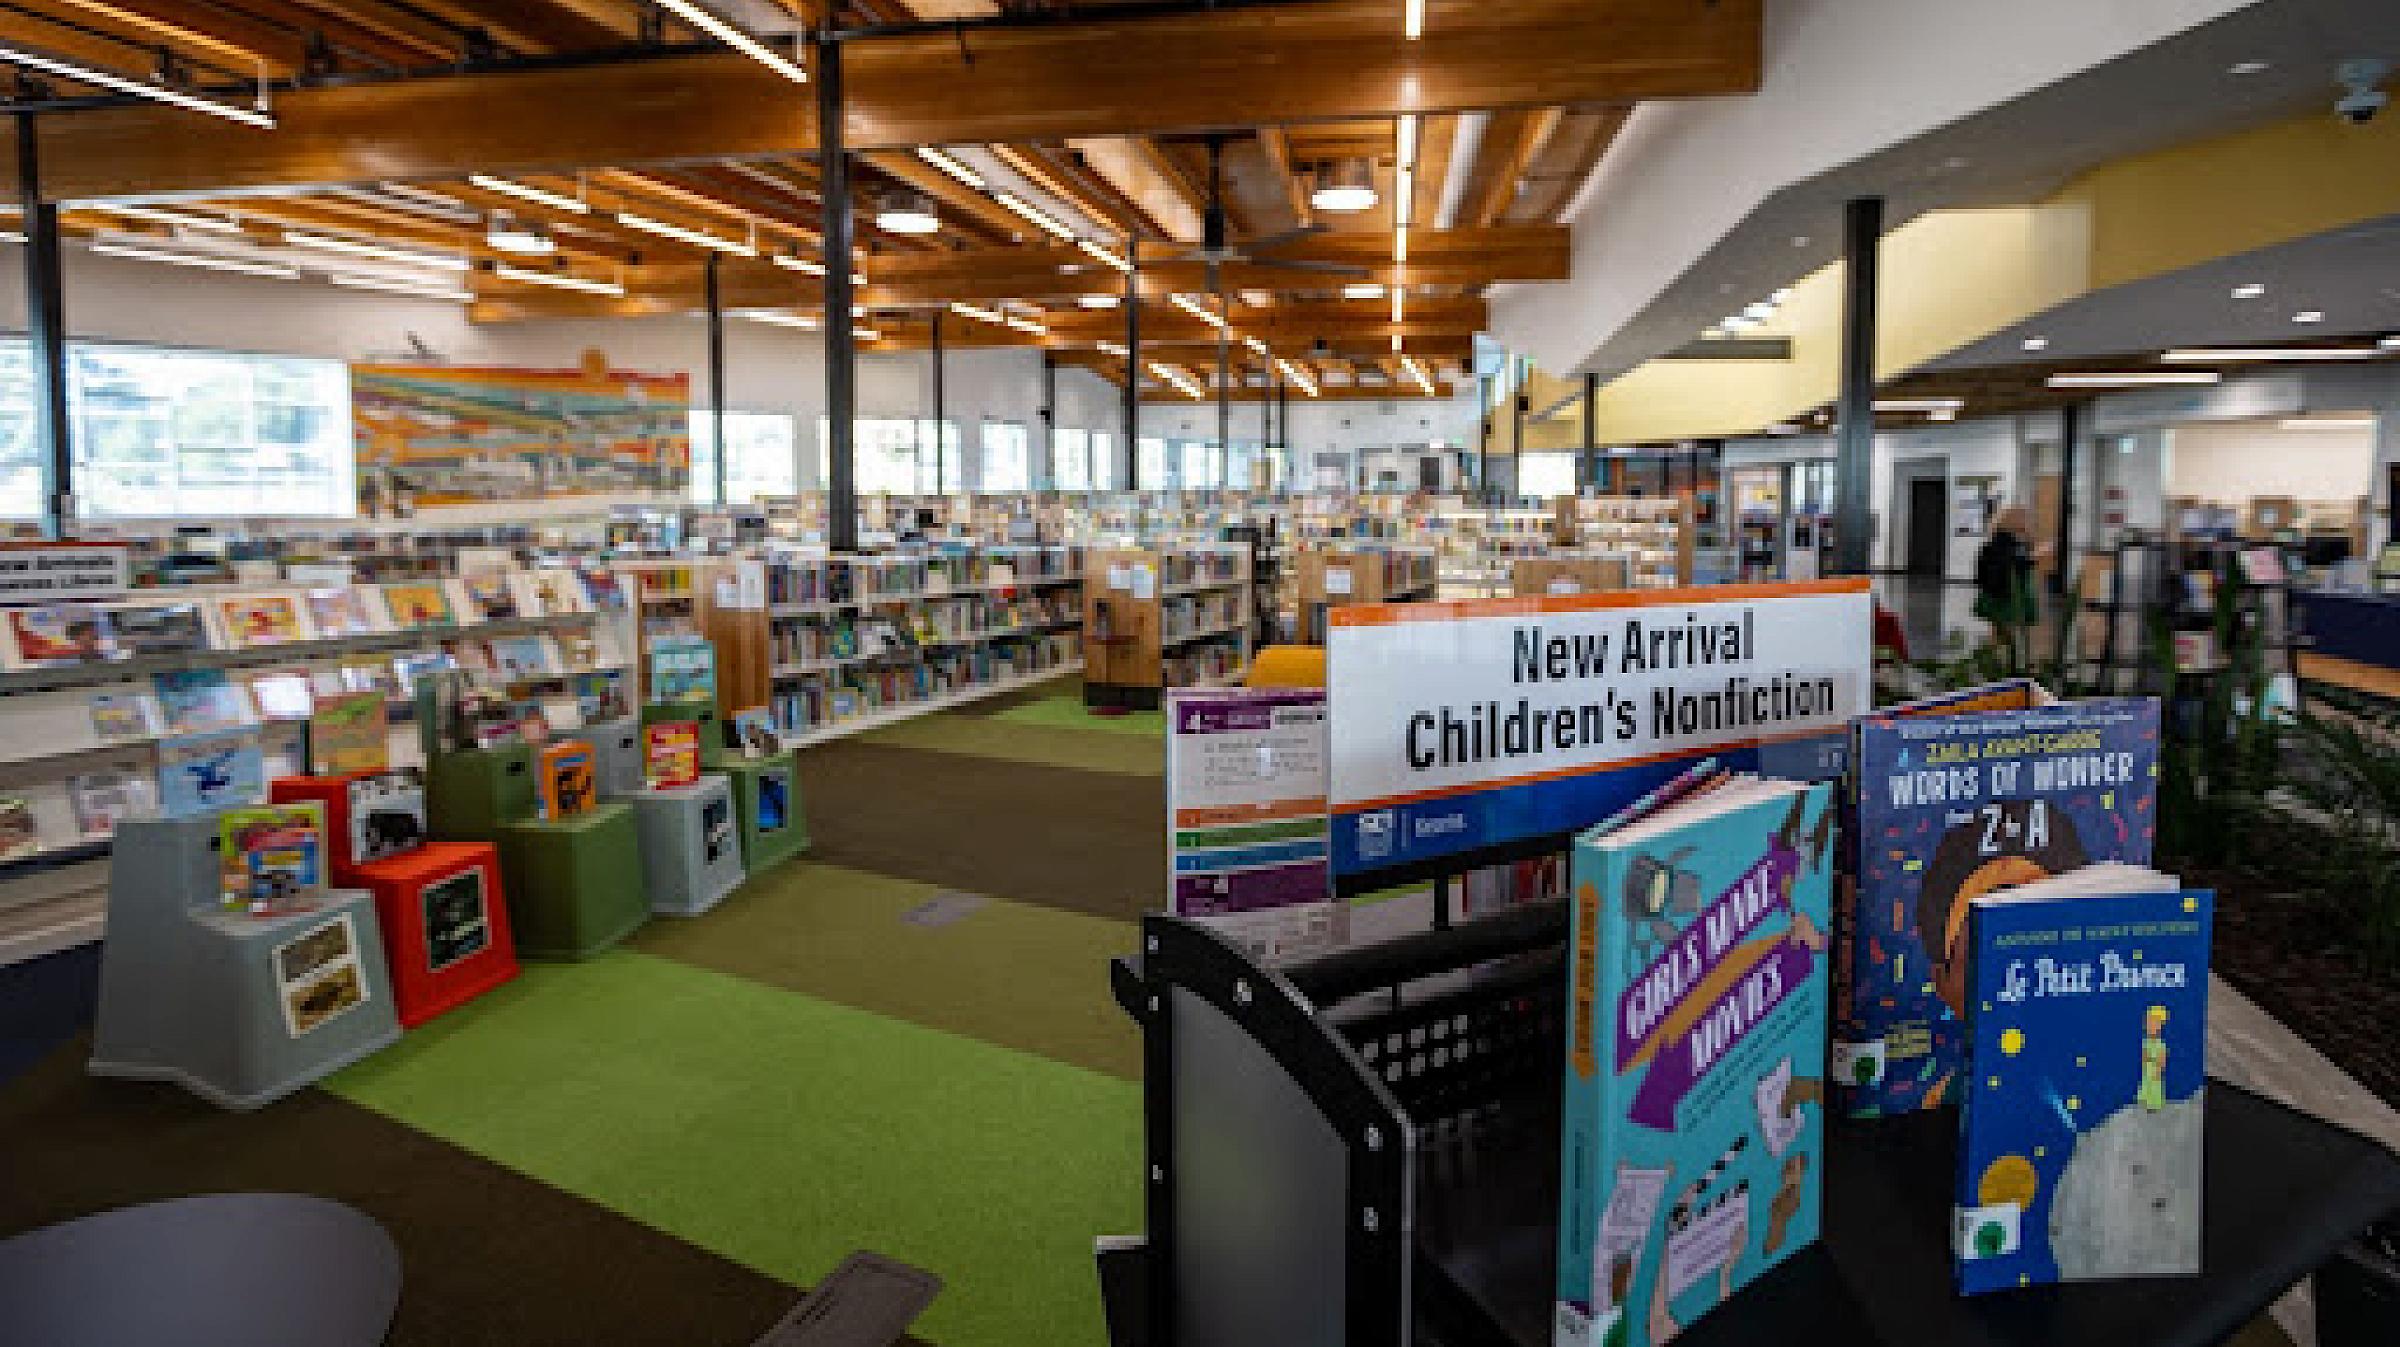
column 68, row 635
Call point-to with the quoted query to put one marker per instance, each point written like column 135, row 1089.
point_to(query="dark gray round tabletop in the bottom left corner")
column 229, row 1269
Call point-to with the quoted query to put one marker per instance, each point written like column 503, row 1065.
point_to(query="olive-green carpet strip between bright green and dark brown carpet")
column 1009, row 974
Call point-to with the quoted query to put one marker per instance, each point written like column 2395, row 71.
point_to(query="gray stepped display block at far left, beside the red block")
column 239, row 1010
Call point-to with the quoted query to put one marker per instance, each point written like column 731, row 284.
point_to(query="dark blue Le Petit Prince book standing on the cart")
column 2080, row 1144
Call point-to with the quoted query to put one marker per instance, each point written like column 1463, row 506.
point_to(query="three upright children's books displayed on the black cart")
column 1967, row 923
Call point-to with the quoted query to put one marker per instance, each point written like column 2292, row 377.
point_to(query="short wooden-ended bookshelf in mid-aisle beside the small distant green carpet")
column 1168, row 616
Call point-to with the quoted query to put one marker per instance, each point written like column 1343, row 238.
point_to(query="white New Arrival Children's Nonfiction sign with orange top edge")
column 1468, row 726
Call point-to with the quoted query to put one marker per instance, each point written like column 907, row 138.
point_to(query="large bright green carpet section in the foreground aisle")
column 784, row 1132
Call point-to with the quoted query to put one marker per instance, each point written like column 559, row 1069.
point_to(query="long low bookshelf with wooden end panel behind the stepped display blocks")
column 836, row 645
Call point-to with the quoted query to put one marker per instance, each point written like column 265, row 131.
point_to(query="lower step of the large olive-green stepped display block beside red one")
column 575, row 885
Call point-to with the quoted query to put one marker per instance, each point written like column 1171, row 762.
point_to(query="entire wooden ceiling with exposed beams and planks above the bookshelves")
column 1100, row 114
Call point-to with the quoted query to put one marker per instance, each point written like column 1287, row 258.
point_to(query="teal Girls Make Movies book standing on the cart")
column 1693, row 1132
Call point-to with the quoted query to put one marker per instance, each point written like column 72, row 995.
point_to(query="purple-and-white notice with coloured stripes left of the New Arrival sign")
column 1247, row 818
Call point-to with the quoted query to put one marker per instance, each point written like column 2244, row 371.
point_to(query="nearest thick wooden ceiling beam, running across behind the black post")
column 1093, row 78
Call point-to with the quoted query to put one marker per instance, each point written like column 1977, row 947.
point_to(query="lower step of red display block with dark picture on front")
column 445, row 926
